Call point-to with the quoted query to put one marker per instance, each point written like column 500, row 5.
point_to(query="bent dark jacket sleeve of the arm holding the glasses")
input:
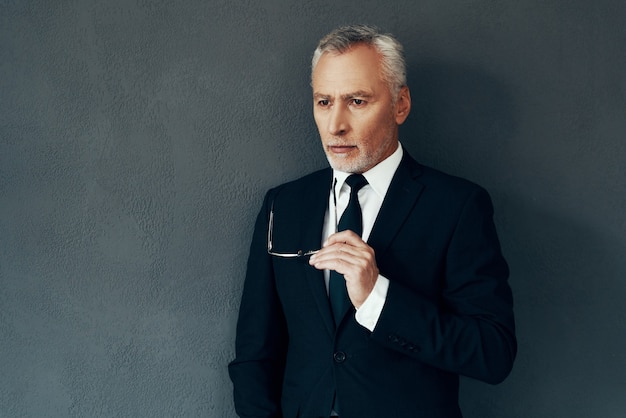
column 469, row 329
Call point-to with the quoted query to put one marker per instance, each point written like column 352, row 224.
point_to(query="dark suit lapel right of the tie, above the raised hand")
column 401, row 197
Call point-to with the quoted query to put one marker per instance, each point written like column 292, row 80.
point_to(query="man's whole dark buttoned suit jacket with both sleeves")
column 448, row 310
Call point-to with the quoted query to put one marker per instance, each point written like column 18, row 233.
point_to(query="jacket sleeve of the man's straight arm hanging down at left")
column 261, row 340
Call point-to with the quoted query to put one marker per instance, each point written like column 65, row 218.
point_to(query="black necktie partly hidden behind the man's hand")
column 352, row 219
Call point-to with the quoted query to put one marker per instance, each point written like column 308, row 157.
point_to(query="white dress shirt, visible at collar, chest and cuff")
column 371, row 198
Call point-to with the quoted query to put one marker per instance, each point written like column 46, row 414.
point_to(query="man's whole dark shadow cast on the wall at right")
column 566, row 270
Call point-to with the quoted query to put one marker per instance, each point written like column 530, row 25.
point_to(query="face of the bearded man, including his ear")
column 354, row 109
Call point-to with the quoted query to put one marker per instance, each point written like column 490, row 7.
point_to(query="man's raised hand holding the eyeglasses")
column 347, row 254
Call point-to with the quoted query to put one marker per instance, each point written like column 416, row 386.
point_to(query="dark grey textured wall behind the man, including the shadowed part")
column 138, row 137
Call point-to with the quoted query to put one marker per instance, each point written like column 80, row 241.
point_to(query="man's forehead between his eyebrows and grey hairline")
column 358, row 68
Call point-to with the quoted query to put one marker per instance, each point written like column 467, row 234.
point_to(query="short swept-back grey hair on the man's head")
column 342, row 39
